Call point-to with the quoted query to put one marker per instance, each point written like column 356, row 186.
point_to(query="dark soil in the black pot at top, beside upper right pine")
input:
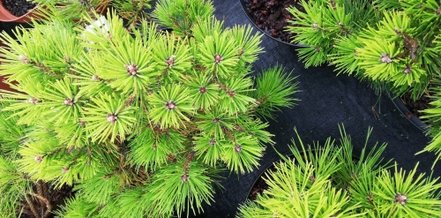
column 271, row 16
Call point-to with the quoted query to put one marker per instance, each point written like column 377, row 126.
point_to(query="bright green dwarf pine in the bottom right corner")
column 330, row 181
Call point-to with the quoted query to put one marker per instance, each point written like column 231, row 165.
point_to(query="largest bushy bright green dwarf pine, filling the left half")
column 138, row 121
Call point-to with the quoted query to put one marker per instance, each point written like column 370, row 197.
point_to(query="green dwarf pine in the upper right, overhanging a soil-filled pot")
column 393, row 44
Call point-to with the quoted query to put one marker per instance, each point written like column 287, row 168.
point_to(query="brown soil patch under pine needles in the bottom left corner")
column 48, row 201
